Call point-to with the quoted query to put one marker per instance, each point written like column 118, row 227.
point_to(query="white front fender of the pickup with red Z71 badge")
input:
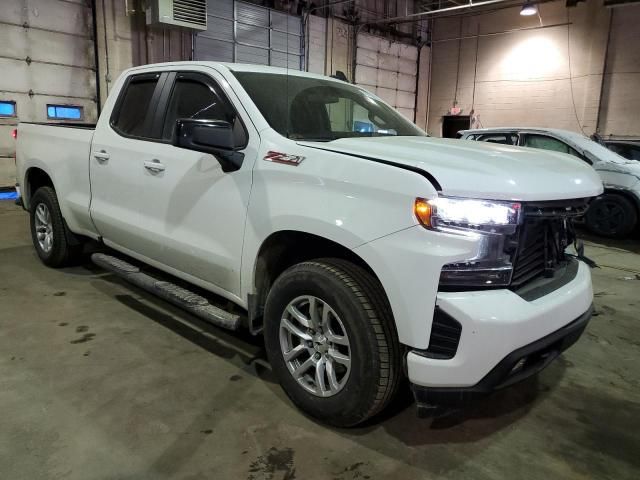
column 349, row 201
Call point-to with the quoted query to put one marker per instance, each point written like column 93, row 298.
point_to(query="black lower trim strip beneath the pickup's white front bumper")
column 518, row 365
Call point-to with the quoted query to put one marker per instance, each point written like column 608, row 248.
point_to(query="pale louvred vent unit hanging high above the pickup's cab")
column 181, row 13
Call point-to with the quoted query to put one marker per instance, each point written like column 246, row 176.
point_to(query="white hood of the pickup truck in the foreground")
column 480, row 170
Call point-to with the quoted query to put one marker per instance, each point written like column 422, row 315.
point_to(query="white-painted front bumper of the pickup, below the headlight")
column 496, row 323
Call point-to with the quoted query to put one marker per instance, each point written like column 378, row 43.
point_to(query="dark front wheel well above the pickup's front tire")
column 284, row 249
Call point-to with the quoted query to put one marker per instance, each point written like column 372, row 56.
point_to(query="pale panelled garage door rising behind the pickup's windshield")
column 389, row 70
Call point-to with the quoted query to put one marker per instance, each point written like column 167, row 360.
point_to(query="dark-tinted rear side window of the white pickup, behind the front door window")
column 133, row 114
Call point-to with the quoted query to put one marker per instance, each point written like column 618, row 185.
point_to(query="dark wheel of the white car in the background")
column 611, row 215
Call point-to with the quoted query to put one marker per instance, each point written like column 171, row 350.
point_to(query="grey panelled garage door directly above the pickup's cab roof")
column 246, row 33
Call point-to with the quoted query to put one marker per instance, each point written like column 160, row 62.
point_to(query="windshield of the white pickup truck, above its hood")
column 304, row 108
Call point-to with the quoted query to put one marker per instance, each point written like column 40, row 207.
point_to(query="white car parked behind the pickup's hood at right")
column 612, row 214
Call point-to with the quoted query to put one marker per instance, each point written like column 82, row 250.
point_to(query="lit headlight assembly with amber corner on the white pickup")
column 494, row 224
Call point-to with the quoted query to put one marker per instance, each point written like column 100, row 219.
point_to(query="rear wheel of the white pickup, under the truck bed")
column 45, row 215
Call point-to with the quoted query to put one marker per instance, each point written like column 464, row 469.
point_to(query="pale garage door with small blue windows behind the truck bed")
column 46, row 59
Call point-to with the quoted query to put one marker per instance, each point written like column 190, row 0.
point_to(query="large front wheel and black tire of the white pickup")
column 363, row 314
